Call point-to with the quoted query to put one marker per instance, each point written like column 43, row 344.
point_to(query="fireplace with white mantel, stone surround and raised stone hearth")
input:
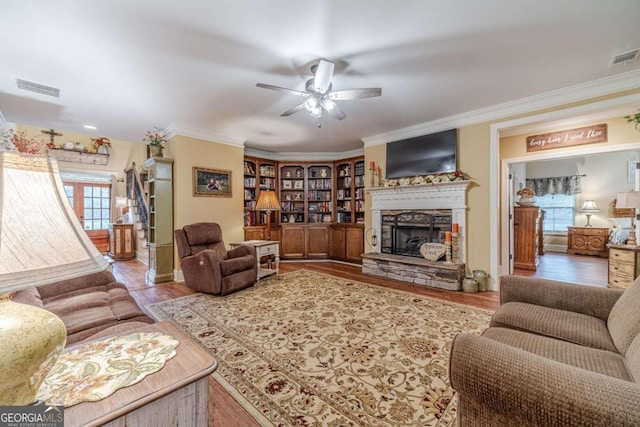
column 405, row 217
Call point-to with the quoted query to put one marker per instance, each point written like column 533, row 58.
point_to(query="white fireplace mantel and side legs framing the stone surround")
column 449, row 195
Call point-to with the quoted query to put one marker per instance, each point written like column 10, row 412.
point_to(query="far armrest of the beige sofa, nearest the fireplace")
column 589, row 300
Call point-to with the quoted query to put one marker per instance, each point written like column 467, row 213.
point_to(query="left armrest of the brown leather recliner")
column 202, row 271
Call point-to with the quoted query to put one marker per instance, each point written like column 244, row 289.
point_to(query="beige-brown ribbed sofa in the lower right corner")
column 555, row 354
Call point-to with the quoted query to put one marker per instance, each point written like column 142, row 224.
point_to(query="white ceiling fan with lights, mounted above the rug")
column 319, row 96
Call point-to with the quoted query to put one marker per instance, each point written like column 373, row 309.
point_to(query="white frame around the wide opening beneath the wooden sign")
column 498, row 200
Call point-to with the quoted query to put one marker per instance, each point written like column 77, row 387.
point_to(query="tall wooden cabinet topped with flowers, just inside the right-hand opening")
column 525, row 237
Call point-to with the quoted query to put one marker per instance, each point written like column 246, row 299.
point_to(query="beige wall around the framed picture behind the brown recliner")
column 226, row 211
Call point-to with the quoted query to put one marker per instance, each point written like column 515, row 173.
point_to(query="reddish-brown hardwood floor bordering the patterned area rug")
column 224, row 411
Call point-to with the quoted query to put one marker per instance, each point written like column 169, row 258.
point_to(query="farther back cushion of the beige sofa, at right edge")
column 624, row 319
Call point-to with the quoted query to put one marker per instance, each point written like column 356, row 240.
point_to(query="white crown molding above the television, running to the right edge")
column 588, row 90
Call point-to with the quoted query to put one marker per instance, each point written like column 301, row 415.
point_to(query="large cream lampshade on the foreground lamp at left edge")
column 41, row 239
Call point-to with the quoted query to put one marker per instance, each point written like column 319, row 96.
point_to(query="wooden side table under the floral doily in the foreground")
column 178, row 392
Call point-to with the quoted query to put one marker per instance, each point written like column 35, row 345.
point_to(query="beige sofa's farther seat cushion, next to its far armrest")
column 564, row 325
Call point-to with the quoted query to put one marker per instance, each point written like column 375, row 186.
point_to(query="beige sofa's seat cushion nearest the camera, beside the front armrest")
column 592, row 359
